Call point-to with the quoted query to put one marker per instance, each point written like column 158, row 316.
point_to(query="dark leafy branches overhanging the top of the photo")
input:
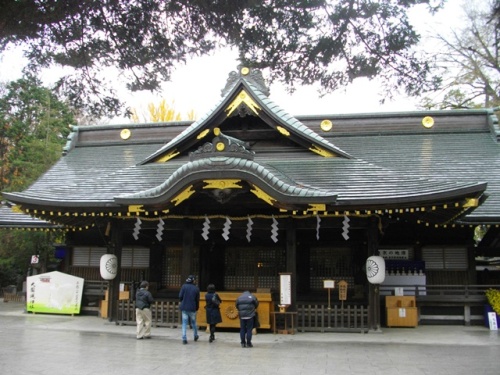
column 330, row 42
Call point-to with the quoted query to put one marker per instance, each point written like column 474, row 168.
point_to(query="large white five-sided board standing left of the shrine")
column 55, row 293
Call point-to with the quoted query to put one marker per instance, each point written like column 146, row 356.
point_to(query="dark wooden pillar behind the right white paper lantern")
column 373, row 290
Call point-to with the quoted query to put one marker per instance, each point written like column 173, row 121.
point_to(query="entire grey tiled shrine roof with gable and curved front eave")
column 385, row 159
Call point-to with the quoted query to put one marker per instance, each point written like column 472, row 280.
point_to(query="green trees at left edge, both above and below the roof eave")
column 33, row 129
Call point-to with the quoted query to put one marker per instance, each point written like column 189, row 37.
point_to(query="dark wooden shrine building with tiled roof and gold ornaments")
column 249, row 192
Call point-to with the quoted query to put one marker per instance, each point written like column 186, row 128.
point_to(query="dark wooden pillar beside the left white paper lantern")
column 114, row 285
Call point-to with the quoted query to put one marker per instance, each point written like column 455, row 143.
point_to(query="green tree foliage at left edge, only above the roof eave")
column 34, row 125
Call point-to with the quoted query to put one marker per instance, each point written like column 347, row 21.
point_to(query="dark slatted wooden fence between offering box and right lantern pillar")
column 320, row 318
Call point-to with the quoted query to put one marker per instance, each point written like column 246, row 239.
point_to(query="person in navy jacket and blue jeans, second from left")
column 190, row 302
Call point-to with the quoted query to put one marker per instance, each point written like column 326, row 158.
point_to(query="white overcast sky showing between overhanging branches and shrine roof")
column 198, row 84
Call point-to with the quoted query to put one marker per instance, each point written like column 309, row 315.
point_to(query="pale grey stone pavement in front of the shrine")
column 59, row 344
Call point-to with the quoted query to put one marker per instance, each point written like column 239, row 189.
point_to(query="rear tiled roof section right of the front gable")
column 462, row 146
